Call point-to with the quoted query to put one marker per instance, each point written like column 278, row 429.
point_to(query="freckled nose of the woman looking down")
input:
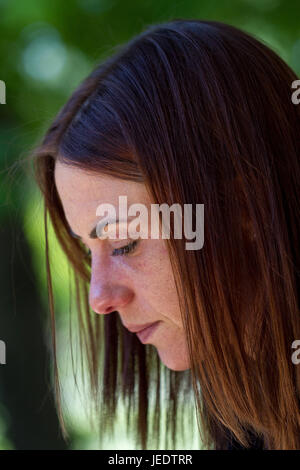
column 106, row 296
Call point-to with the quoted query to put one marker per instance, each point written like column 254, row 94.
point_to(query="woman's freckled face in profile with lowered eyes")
column 139, row 285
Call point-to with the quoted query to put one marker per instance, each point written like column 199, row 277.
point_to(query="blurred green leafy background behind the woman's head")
column 47, row 47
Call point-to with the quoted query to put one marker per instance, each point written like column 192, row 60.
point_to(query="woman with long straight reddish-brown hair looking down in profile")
column 188, row 112
